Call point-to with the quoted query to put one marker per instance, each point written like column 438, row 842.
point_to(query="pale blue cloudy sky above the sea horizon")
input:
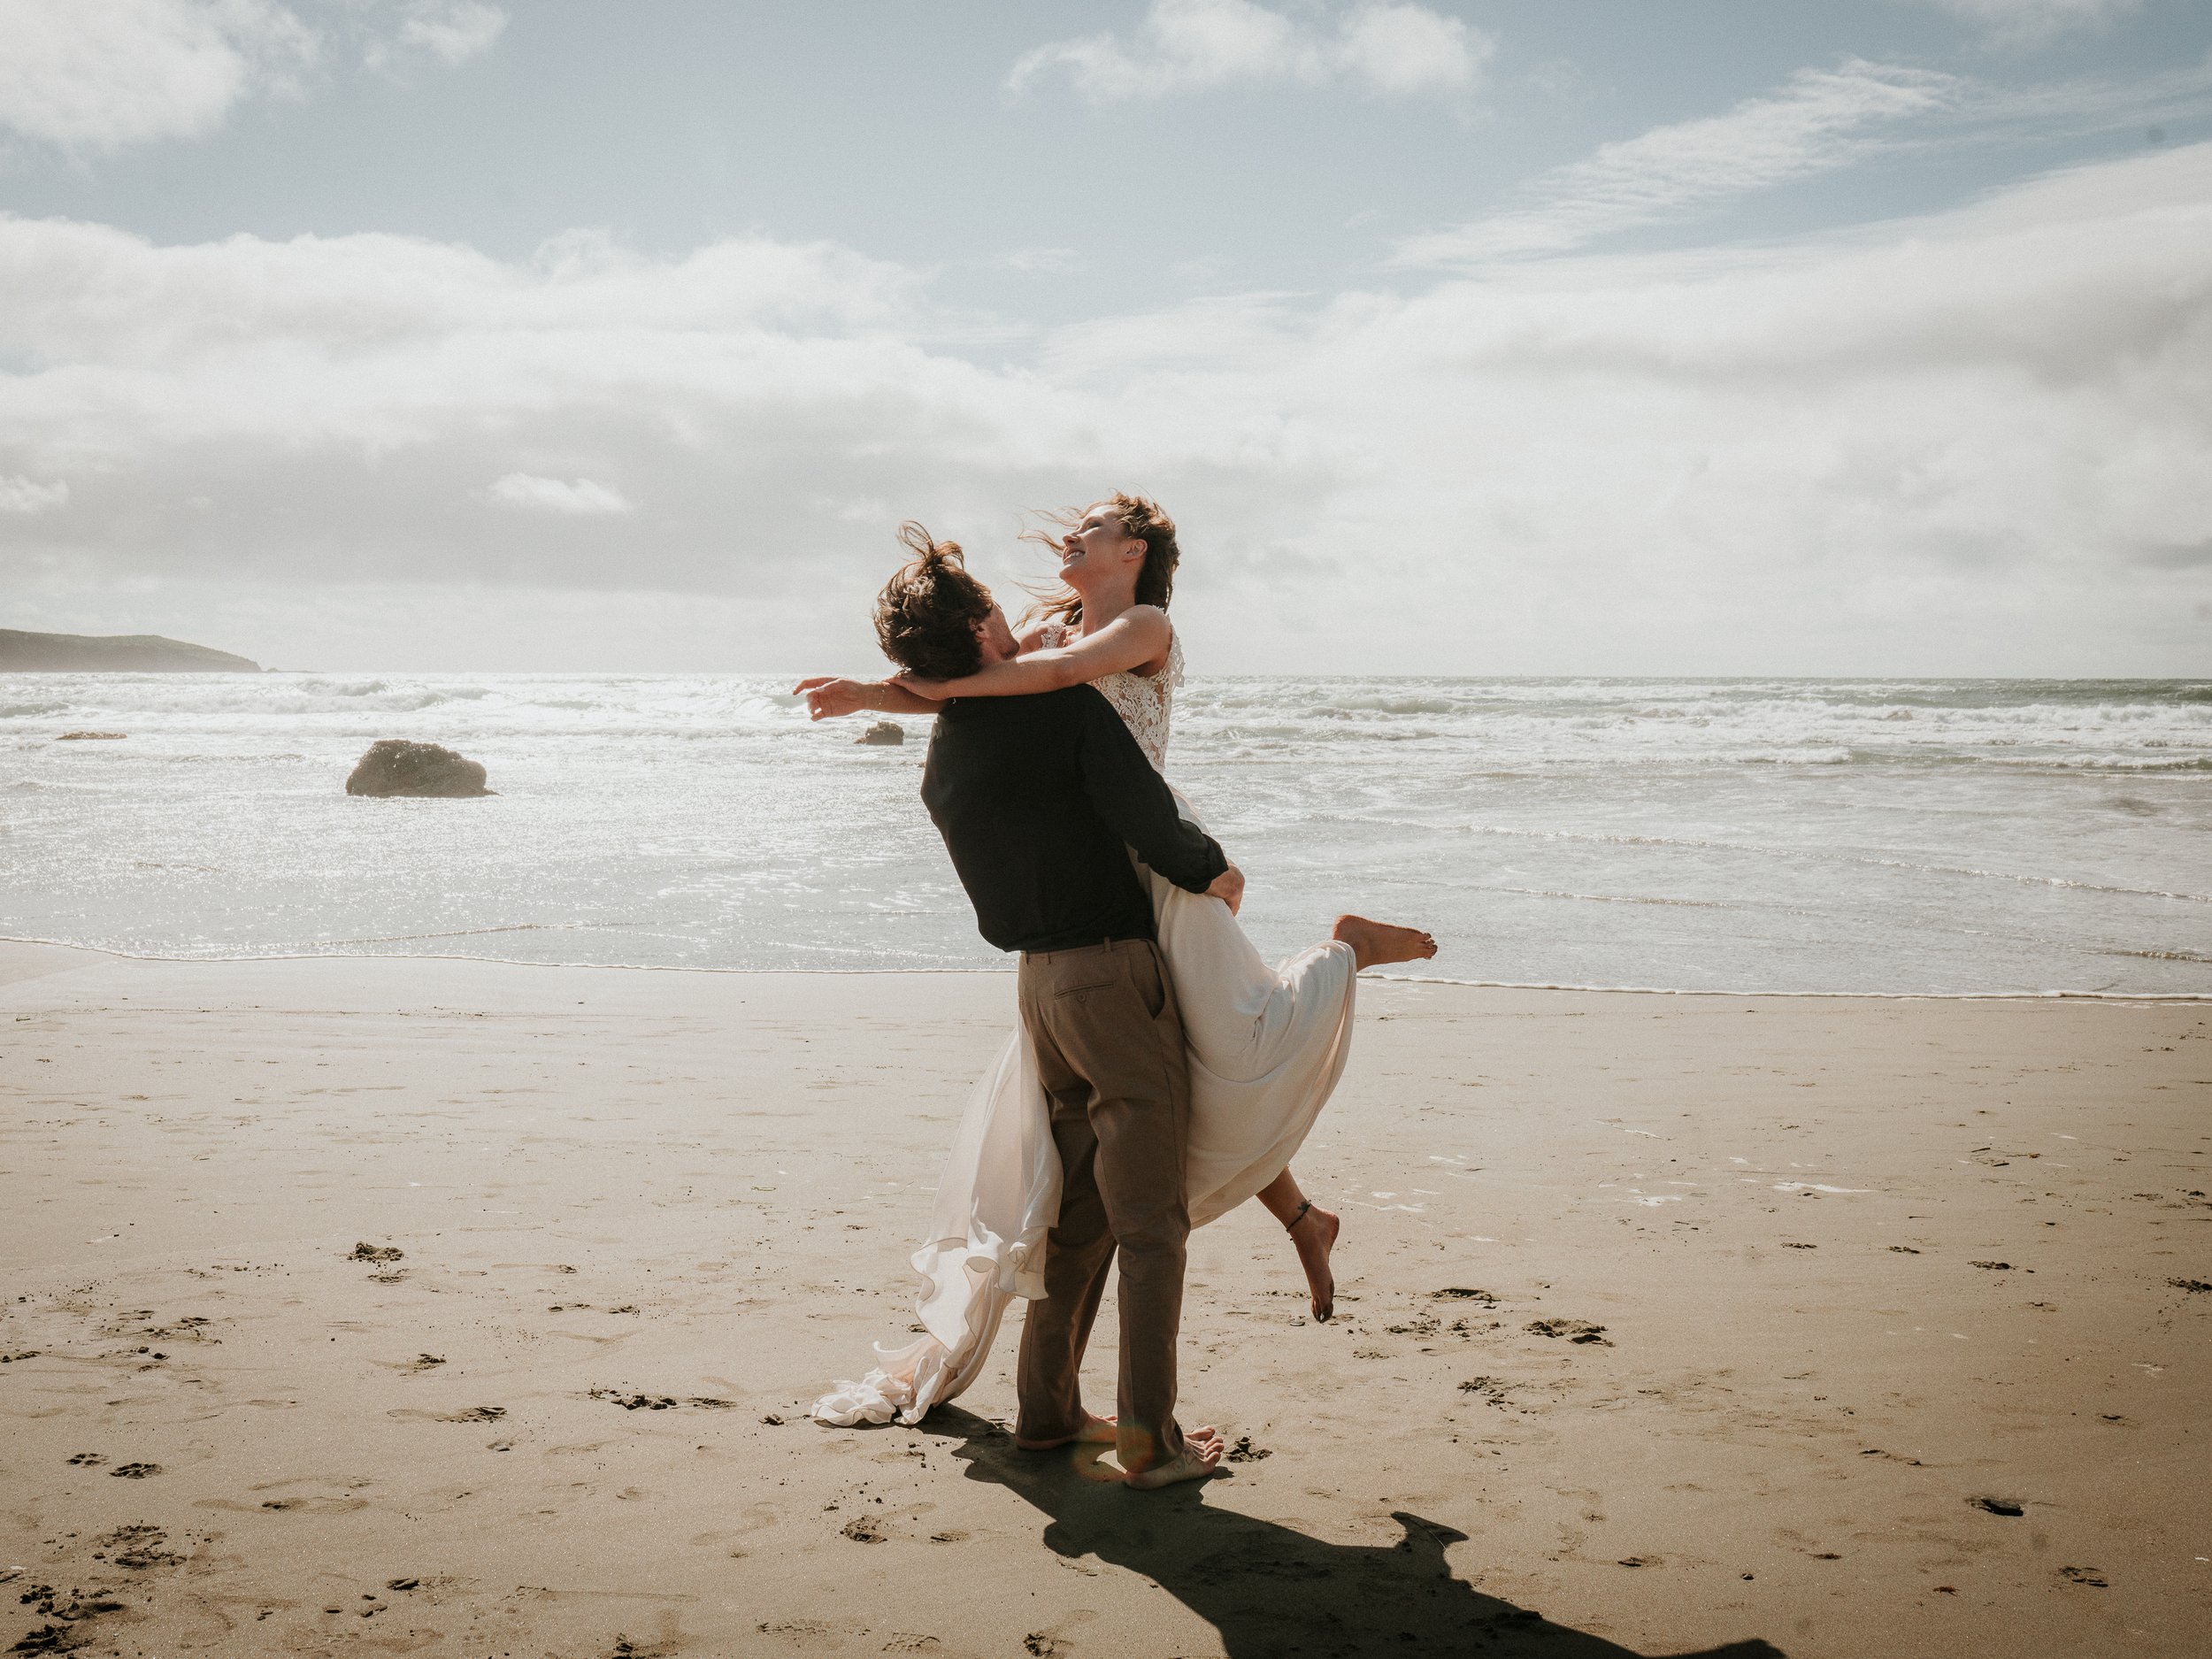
column 1496, row 337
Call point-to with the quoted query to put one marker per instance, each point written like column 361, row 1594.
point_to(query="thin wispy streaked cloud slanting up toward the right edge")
column 1819, row 121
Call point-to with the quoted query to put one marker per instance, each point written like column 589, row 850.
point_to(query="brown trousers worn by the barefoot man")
column 1109, row 1047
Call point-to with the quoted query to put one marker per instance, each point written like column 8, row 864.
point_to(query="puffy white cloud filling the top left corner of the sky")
column 101, row 74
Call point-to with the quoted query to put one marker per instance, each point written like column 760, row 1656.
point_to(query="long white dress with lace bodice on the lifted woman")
column 1266, row 1050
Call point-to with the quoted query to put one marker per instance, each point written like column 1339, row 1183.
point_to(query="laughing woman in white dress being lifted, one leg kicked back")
column 1266, row 1045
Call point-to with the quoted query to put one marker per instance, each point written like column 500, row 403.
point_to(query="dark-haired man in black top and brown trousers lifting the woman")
column 1039, row 802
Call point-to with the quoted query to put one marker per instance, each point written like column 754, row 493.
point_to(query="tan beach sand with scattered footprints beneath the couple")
column 466, row 1308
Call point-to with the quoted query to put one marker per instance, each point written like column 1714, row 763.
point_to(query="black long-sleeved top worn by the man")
column 1036, row 800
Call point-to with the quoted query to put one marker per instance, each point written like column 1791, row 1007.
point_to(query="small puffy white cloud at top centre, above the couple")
column 1196, row 45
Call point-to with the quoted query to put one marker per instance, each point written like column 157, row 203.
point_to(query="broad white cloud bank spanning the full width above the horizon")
column 1963, row 444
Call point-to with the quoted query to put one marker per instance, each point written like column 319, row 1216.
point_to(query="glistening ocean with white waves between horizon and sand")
column 1680, row 835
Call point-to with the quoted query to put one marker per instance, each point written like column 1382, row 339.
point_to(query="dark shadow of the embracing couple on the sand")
column 1271, row 1589
